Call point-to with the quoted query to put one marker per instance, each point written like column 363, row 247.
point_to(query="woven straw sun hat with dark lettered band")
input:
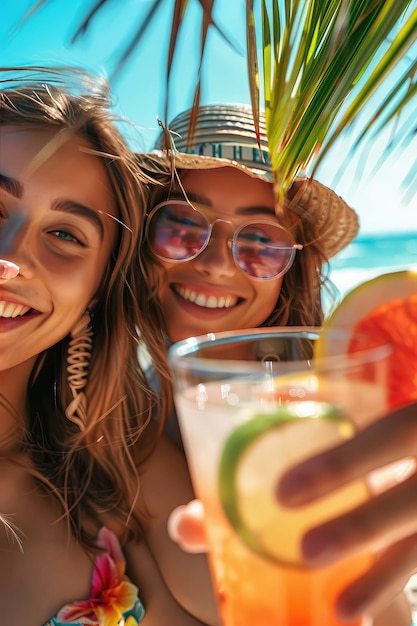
column 224, row 135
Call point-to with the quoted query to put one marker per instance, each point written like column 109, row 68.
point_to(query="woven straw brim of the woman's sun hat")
column 332, row 222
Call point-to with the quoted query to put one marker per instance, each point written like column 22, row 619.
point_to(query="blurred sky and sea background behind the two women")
column 382, row 190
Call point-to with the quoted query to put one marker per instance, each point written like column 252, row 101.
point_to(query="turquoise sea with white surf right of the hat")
column 371, row 255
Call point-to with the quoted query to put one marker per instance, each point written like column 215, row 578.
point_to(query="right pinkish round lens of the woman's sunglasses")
column 263, row 250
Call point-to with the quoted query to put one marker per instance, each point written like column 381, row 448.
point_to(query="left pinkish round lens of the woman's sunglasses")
column 177, row 232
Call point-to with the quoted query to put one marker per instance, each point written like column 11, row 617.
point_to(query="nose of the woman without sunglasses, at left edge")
column 14, row 247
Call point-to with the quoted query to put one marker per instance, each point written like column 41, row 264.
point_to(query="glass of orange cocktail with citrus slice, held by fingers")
column 250, row 404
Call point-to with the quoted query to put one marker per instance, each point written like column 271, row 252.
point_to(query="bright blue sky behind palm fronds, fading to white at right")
column 139, row 90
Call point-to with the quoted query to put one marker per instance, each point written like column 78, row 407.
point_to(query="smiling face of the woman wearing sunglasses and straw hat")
column 210, row 293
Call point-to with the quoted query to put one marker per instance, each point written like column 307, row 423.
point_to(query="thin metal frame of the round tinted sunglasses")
column 232, row 242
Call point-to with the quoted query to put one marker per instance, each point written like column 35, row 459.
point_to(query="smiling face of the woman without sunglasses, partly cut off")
column 54, row 227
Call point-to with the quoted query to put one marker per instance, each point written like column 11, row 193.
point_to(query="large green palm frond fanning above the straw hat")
column 322, row 52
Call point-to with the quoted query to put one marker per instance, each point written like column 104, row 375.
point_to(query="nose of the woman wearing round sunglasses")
column 216, row 260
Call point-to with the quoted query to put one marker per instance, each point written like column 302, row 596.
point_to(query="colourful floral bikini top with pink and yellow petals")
column 114, row 599
